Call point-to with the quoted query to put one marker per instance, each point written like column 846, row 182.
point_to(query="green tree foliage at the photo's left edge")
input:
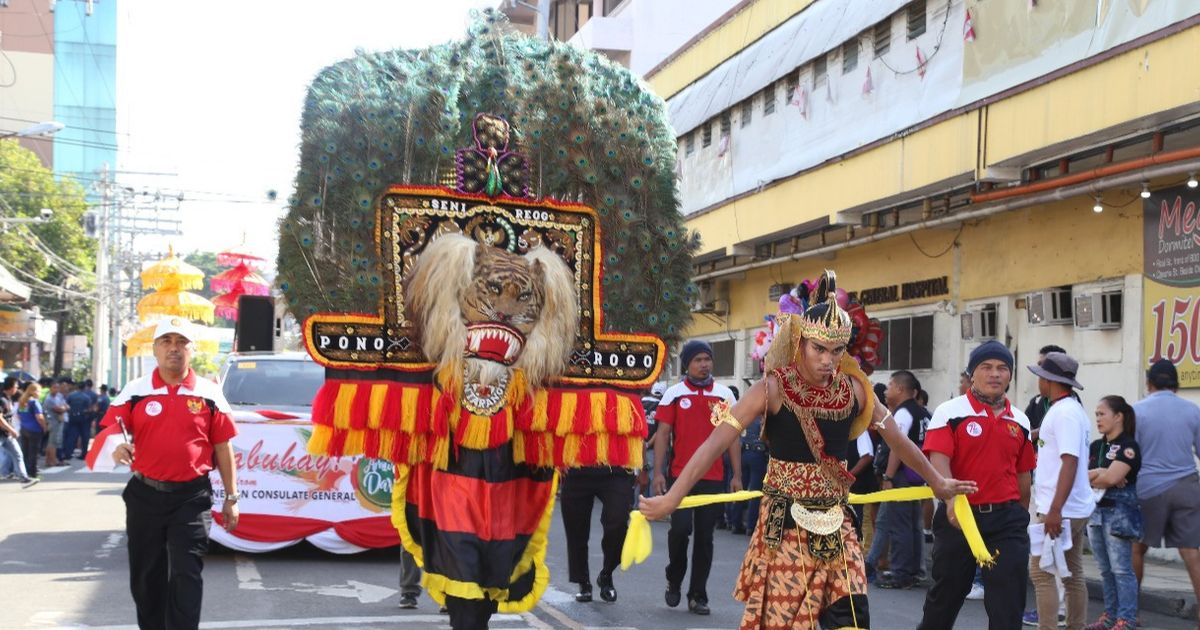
column 53, row 255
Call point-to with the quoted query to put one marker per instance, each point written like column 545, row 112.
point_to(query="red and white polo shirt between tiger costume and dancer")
column 688, row 410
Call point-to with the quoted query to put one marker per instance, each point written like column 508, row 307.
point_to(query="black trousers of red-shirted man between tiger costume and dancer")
column 701, row 521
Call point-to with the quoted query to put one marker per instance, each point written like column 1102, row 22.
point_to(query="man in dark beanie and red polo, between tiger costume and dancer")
column 683, row 418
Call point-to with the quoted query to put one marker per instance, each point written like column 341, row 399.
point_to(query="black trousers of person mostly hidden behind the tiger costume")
column 580, row 489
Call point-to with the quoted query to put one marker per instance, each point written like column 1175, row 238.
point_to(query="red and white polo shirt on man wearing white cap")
column 175, row 428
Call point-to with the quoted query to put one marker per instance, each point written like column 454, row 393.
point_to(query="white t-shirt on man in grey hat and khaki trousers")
column 1065, row 431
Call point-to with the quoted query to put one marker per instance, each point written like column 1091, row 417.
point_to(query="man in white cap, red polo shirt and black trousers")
column 179, row 424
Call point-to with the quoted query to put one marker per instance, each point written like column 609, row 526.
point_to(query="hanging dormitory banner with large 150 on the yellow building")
column 1172, row 293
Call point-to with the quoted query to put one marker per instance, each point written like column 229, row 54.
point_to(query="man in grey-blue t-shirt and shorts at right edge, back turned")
column 1168, row 488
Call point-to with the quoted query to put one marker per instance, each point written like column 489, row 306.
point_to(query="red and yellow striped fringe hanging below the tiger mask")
column 409, row 424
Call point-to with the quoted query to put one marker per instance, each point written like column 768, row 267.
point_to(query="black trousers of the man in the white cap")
column 169, row 538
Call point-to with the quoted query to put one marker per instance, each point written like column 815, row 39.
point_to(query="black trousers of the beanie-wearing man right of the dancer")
column 1005, row 584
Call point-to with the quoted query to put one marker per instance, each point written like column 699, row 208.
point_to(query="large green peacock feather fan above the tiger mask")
column 593, row 134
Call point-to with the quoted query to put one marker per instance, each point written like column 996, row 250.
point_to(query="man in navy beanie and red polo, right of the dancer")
column 980, row 437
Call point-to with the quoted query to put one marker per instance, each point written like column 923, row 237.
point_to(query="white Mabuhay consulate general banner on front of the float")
column 278, row 477
